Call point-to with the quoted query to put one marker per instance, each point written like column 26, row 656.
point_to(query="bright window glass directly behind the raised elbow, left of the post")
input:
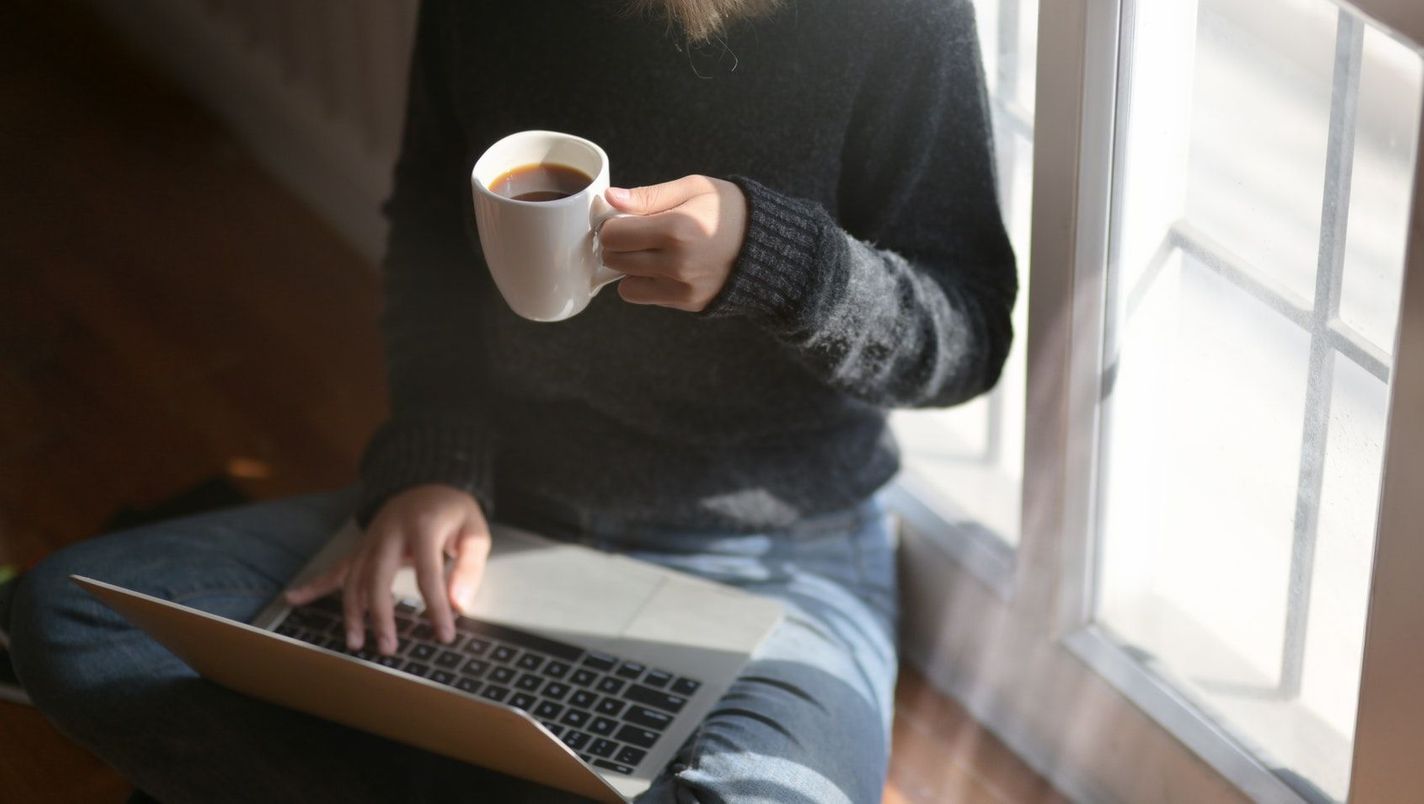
column 972, row 457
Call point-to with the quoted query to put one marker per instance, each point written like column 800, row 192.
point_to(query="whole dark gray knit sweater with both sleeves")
column 875, row 274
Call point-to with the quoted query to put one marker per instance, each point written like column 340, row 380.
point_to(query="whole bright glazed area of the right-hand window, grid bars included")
column 1254, row 292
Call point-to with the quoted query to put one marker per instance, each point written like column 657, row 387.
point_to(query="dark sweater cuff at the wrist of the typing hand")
column 407, row 453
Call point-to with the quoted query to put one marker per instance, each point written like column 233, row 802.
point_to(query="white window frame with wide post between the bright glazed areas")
column 1006, row 647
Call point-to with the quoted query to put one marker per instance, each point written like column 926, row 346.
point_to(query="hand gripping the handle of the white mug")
column 681, row 248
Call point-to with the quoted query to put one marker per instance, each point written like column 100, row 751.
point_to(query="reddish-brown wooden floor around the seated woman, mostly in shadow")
column 169, row 314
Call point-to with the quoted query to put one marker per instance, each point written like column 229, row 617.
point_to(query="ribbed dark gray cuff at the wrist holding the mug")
column 777, row 273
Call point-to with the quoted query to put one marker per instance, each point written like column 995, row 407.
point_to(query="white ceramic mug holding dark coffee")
column 545, row 255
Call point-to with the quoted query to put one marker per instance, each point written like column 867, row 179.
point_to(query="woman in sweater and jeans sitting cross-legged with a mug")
column 724, row 413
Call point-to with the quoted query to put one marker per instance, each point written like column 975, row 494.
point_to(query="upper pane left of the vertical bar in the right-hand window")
column 1261, row 105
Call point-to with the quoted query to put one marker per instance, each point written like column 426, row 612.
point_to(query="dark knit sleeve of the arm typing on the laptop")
column 439, row 428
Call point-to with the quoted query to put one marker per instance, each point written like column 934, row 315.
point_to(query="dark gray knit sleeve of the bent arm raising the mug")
column 904, row 298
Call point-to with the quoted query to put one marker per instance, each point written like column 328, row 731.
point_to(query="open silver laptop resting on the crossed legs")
column 575, row 668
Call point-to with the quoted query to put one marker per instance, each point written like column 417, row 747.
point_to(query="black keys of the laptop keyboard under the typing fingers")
column 607, row 709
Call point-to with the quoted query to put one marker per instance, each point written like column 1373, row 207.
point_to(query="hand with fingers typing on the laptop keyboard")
column 419, row 526
